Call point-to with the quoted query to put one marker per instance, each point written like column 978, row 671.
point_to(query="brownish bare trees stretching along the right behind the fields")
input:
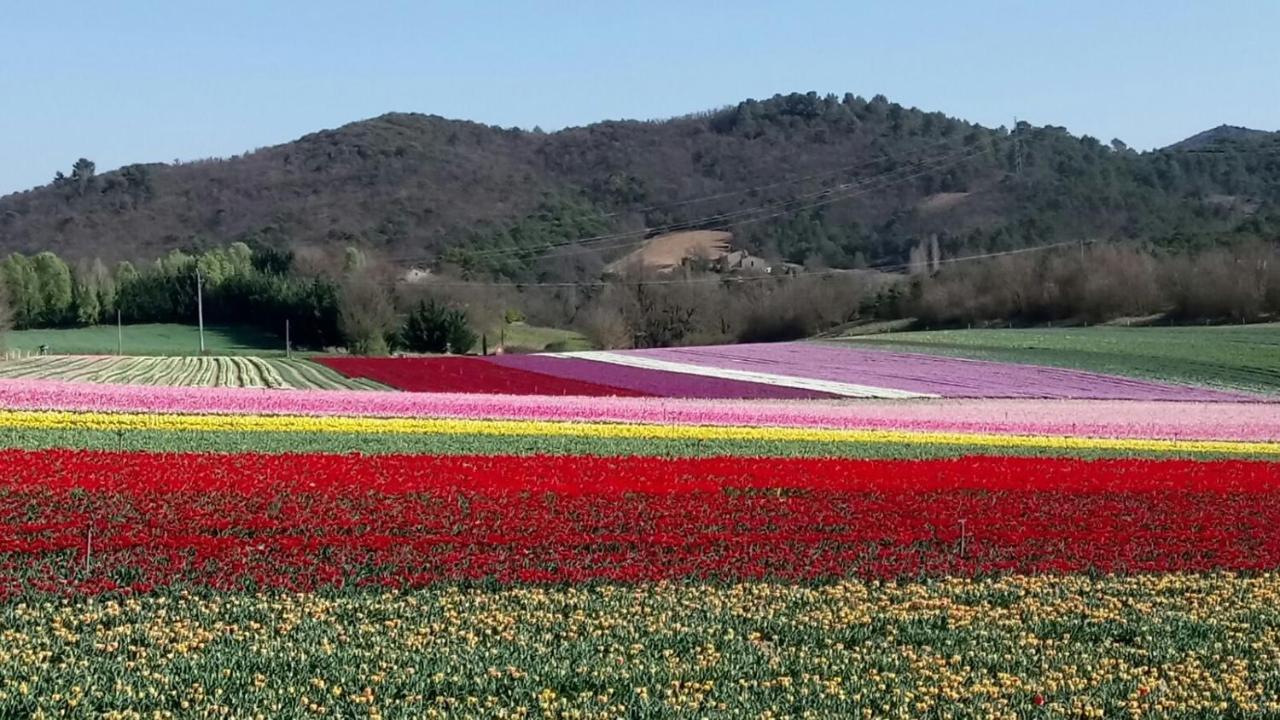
column 1089, row 284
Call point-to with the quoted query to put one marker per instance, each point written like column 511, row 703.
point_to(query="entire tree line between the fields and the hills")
column 351, row 302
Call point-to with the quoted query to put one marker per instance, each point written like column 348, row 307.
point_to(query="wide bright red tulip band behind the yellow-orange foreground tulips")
column 80, row 521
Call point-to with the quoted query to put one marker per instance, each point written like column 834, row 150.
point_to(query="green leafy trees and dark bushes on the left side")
column 349, row 303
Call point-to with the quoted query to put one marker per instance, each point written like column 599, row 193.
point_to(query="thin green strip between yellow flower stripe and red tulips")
column 166, row 441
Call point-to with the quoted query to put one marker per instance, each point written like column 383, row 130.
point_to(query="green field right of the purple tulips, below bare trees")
column 1245, row 358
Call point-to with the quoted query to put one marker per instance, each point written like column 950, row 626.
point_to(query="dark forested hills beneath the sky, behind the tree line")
column 808, row 179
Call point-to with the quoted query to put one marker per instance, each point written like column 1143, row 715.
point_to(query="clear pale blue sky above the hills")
column 154, row 81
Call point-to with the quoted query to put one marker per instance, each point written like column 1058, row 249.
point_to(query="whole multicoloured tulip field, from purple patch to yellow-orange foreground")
column 762, row 531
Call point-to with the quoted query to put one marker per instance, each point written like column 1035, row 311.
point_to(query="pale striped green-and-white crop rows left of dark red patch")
column 205, row 372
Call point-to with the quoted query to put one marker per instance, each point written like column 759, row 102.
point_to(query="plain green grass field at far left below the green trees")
column 147, row 340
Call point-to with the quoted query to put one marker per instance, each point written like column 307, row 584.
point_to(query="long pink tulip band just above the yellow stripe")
column 1086, row 418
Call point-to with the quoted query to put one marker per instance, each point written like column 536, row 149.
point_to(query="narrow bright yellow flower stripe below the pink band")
column 66, row 421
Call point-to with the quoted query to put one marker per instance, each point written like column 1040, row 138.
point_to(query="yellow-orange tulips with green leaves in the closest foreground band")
column 1185, row 646
